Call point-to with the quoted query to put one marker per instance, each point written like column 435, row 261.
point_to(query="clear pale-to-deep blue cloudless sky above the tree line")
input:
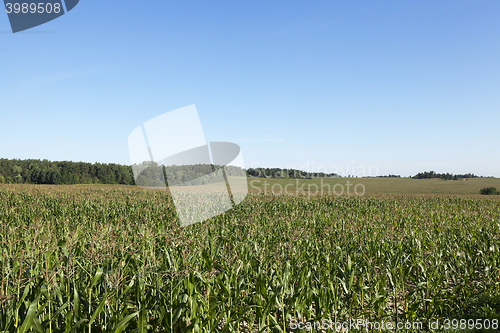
column 403, row 86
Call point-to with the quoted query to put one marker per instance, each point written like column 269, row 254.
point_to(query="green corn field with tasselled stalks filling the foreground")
column 110, row 259
